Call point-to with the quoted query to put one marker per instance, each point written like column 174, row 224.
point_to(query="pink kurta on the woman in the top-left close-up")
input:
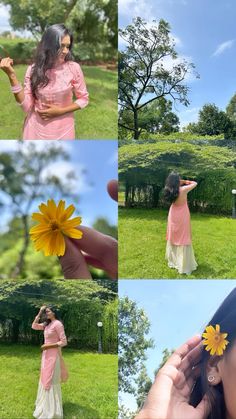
column 65, row 80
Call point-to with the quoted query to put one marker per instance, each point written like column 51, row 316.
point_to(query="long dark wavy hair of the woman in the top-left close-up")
column 47, row 54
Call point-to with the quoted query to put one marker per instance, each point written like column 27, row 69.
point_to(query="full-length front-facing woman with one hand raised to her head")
column 53, row 370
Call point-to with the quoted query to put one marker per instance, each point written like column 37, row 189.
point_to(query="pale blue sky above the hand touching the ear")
column 177, row 310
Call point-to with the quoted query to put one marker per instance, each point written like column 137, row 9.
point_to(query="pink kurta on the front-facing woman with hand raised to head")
column 53, row 333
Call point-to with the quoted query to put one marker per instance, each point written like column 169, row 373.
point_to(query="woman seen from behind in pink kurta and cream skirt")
column 179, row 250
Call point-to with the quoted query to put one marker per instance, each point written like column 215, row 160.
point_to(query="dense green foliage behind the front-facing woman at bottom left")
column 81, row 305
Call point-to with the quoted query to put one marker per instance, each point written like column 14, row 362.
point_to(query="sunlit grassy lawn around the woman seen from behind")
column 142, row 245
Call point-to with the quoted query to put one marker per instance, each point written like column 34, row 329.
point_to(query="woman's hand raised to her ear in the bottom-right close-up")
column 170, row 393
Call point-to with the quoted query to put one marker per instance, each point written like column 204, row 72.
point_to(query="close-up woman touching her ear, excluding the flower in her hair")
column 193, row 384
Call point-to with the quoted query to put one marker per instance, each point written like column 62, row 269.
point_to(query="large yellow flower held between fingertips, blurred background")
column 54, row 224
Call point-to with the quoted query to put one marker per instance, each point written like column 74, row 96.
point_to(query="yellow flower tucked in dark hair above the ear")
column 214, row 340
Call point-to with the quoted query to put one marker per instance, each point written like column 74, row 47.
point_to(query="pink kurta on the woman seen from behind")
column 179, row 227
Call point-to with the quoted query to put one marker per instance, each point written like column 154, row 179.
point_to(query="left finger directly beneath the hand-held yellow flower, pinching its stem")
column 73, row 263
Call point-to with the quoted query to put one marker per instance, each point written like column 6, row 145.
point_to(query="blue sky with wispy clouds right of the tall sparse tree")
column 205, row 34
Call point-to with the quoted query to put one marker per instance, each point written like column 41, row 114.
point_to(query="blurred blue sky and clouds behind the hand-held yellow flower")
column 98, row 159
